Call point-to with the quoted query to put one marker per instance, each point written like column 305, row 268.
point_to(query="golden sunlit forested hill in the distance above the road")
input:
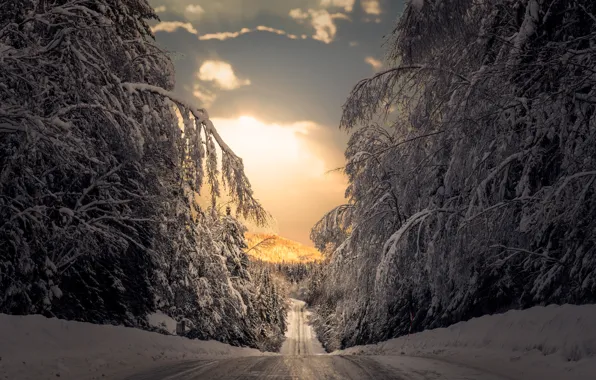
column 276, row 249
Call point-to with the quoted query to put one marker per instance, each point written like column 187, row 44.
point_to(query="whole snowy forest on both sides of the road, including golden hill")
column 471, row 170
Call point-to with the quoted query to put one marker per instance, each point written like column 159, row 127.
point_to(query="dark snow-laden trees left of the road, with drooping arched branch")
column 97, row 221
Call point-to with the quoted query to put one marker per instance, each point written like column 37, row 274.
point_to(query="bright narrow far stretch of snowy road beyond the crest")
column 300, row 337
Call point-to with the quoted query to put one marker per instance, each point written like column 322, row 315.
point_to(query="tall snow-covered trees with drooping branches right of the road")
column 472, row 172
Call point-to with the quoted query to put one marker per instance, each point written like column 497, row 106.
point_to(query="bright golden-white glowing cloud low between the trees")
column 286, row 165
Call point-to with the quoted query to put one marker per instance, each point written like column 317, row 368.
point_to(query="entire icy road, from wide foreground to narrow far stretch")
column 303, row 358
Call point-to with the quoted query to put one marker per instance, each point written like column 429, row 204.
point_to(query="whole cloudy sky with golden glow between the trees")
column 273, row 75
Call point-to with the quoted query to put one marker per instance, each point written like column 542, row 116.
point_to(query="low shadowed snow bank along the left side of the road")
column 37, row 348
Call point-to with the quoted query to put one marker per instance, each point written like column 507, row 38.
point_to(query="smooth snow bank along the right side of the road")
column 546, row 343
